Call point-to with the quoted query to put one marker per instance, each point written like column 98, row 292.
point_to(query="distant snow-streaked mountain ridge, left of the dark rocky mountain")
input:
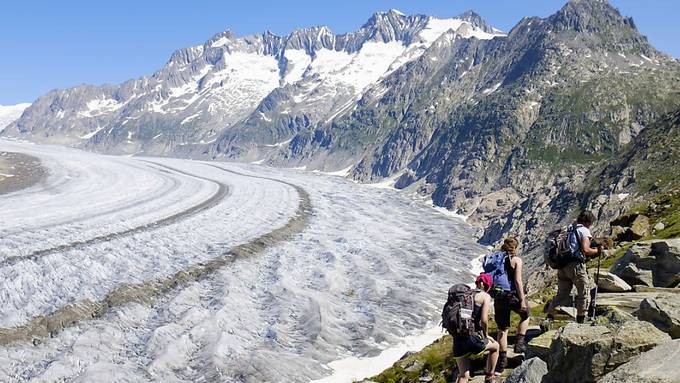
column 259, row 88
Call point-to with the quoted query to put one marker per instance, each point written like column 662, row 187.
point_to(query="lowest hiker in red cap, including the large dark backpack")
column 466, row 317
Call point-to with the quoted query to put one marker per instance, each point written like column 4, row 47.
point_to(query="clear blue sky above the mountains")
column 50, row 44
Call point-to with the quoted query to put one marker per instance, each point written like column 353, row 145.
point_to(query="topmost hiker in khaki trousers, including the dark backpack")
column 567, row 251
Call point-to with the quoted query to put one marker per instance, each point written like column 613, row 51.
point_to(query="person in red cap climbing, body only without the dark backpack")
column 465, row 347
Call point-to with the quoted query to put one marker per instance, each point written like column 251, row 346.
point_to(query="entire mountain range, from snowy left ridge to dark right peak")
column 516, row 130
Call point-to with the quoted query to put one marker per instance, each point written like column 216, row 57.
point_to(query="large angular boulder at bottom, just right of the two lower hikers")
column 598, row 350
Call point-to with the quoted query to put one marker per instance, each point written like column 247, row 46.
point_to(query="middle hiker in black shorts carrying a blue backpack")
column 505, row 266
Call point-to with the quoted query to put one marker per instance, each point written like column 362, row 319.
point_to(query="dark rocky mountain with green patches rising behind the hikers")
column 514, row 132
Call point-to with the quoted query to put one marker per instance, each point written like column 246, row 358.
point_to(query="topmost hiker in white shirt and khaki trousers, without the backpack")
column 574, row 273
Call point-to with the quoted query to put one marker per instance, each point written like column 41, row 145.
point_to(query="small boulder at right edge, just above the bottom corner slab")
column 662, row 312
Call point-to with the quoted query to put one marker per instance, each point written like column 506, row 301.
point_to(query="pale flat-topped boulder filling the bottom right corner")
column 658, row 365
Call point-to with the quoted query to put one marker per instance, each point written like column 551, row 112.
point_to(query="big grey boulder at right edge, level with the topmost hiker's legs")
column 651, row 263
